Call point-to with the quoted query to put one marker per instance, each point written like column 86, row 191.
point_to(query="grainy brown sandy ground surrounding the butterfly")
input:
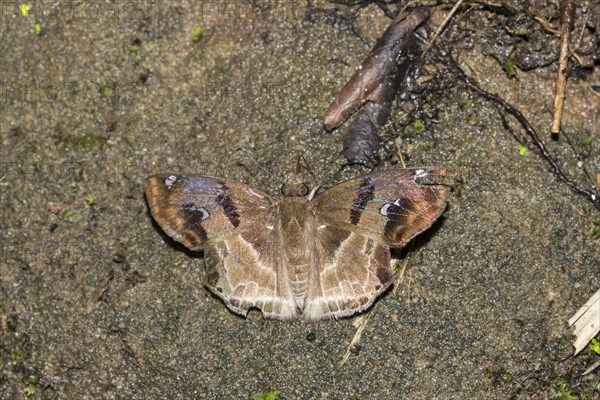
column 97, row 303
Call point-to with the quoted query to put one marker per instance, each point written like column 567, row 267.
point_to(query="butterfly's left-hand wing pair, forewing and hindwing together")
column 233, row 224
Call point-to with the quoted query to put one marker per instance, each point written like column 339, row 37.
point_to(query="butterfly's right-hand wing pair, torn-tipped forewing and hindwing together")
column 353, row 236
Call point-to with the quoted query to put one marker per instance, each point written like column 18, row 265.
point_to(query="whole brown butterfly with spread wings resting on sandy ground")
column 305, row 256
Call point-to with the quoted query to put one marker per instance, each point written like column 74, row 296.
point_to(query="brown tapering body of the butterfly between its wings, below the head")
column 295, row 225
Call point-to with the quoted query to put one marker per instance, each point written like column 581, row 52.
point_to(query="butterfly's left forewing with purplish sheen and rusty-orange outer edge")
column 196, row 209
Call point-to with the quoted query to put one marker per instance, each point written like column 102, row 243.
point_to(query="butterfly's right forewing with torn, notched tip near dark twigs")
column 389, row 207
